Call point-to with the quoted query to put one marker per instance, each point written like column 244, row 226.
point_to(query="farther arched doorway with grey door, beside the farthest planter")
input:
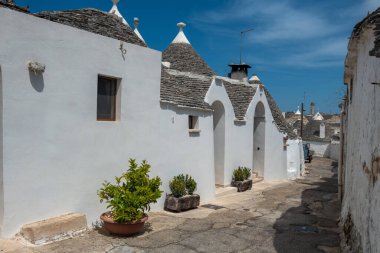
column 259, row 140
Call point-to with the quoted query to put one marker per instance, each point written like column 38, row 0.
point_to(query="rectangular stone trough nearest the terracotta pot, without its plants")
column 181, row 204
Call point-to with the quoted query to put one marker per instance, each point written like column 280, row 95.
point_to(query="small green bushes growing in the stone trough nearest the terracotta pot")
column 181, row 185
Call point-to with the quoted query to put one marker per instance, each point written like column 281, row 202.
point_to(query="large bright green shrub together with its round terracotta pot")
column 129, row 199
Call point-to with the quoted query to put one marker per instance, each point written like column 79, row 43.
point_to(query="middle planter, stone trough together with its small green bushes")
column 182, row 195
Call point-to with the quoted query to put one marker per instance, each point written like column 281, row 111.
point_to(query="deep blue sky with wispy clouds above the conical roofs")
column 297, row 48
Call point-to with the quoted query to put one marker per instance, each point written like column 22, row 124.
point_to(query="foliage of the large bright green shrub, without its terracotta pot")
column 132, row 194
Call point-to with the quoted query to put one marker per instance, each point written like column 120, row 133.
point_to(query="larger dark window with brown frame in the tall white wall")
column 107, row 96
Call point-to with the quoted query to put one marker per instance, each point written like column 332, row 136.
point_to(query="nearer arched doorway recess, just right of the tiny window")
column 219, row 136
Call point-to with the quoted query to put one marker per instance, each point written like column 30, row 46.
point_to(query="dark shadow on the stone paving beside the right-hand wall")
column 312, row 226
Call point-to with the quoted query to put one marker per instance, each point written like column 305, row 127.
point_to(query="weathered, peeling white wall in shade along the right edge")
column 359, row 171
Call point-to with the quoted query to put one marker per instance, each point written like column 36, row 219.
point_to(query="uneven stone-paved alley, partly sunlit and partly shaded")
column 284, row 216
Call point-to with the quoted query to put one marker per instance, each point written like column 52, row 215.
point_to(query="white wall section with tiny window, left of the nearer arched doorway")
column 184, row 152
